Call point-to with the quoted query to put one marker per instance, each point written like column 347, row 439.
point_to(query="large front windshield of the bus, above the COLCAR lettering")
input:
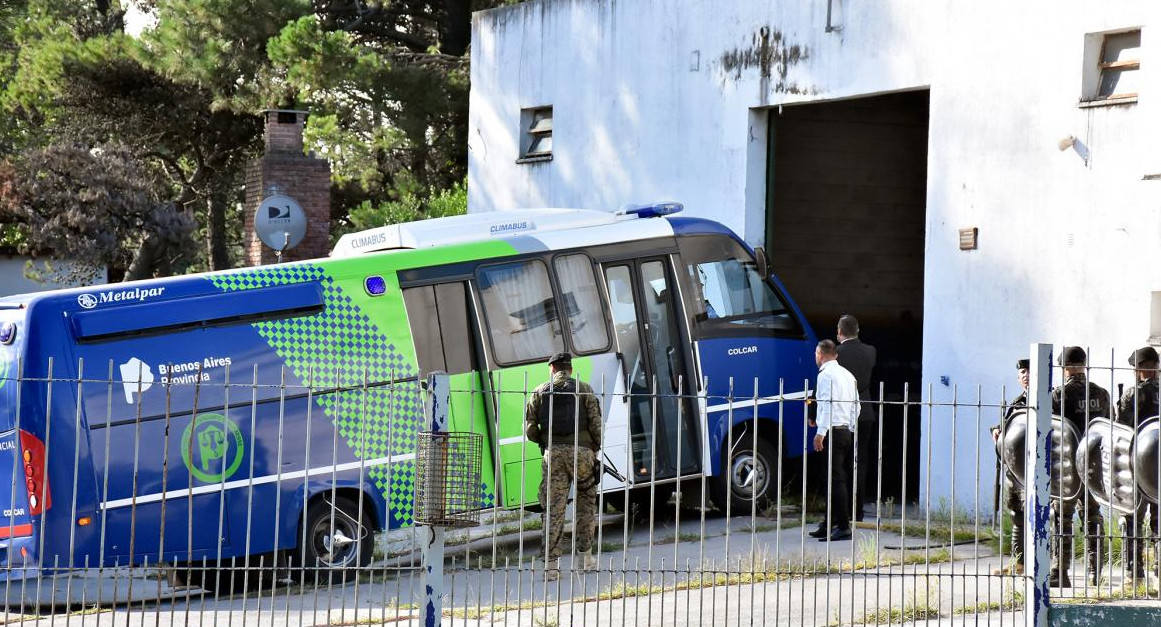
column 729, row 293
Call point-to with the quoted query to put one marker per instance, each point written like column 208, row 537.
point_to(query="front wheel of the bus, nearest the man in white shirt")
column 747, row 479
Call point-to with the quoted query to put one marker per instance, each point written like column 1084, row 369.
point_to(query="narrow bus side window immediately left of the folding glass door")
column 582, row 304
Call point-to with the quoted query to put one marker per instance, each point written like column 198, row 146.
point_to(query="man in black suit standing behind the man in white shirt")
column 860, row 359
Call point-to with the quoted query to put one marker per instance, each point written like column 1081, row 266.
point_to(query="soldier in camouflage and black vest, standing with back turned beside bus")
column 564, row 419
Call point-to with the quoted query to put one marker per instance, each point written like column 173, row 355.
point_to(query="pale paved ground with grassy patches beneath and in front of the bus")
column 655, row 581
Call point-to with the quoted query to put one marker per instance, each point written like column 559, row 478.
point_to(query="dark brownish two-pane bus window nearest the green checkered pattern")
column 444, row 340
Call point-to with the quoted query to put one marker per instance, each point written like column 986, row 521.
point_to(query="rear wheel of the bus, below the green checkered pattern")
column 336, row 544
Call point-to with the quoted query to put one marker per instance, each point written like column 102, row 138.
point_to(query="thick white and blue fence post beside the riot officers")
column 1039, row 473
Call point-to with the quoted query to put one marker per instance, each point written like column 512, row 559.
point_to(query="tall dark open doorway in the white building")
column 846, row 218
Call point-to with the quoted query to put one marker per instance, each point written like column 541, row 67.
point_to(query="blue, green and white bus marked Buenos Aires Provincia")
column 273, row 410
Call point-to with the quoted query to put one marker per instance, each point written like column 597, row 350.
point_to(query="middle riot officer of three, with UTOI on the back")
column 1078, row 402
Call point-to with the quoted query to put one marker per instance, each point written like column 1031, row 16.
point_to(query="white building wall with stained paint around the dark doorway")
column 667, row 99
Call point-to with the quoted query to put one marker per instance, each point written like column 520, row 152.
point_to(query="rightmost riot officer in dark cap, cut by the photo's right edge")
column 1136, row 407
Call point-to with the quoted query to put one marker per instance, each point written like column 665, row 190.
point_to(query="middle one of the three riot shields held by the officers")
column 1105, row 459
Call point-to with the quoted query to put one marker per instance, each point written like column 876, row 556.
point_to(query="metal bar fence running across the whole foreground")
column 292, row 505
